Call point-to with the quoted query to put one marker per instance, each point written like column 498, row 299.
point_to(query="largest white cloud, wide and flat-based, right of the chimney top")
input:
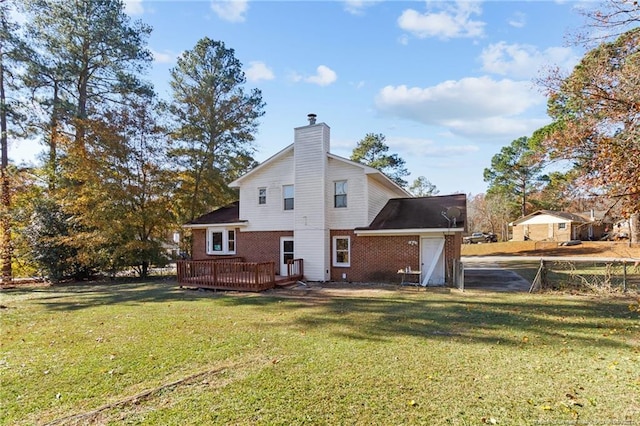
column 470, row 107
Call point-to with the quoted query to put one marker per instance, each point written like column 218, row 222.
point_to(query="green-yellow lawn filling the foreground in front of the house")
column 394, row 356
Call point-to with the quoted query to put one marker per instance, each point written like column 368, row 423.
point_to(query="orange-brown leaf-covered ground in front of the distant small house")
column 607, row 249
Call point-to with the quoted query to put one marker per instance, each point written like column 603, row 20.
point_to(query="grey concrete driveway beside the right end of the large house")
column 486, row 274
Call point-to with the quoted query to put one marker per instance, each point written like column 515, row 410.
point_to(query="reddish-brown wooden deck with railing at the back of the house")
column 233, row 273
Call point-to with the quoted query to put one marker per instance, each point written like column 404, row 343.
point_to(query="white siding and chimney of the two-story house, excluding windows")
column 308, row 166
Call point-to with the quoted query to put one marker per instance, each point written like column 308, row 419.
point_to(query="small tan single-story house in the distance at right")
column 548, row 225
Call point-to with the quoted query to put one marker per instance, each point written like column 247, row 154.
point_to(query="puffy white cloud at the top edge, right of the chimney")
column 453, row 21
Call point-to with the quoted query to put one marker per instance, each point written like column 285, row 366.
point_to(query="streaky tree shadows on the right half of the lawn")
column 504, row 319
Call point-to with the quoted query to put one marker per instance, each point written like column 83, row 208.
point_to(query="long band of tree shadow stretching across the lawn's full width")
column 491, row 318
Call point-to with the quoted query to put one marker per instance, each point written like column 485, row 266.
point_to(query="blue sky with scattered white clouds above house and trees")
column 448, row 83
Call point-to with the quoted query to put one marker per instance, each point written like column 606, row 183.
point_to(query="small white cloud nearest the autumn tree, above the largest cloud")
column 524, row 61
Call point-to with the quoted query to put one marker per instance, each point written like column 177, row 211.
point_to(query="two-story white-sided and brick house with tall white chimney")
column 345, row 220
